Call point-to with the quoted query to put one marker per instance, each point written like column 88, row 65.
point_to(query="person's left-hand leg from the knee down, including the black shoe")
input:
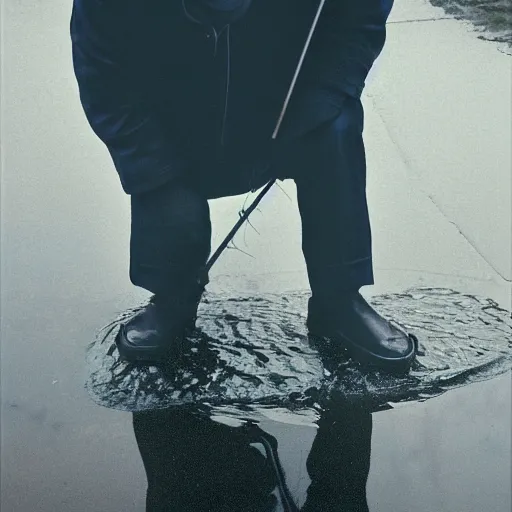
column 170, row 244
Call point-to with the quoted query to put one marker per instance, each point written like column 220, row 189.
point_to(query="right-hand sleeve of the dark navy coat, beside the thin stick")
column 349, row 37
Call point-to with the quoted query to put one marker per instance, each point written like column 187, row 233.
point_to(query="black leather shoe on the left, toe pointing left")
column 156, row 333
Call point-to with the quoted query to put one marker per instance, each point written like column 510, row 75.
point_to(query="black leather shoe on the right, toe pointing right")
column 358, row 329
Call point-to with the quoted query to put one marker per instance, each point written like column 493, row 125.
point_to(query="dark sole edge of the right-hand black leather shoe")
column 369, row 359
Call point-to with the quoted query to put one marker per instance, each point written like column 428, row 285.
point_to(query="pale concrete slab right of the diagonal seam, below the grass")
column 445, row 97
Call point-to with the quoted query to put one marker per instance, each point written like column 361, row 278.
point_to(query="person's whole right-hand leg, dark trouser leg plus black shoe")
column 330, row 173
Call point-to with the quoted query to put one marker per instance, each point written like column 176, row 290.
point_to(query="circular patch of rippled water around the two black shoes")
column 251, row 350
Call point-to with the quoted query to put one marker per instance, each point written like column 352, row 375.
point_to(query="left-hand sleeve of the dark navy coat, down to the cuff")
column 118, row 114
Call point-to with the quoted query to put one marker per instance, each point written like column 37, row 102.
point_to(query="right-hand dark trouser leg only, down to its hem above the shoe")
column 331, row 191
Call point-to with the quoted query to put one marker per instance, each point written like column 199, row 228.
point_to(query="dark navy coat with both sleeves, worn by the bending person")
column 158, row 89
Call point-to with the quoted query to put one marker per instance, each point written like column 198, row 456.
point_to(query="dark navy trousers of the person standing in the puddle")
column 171, row 230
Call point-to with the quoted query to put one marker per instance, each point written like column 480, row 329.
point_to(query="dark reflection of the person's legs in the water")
column 195, row 464
